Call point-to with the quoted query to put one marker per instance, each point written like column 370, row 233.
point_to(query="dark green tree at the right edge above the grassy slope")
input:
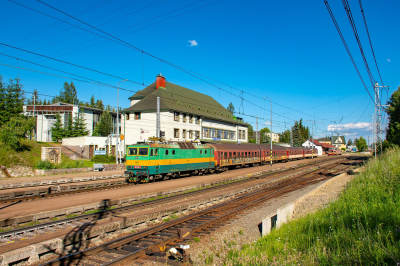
column 393, row 111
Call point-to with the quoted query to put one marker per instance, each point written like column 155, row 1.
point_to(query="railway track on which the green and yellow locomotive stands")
column 8, row 196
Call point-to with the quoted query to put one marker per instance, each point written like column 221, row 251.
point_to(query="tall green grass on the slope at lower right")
column 361, row 228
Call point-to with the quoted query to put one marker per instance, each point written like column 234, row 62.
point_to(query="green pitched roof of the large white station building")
column 180, row 99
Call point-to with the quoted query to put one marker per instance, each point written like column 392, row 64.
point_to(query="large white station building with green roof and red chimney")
column 185, row 115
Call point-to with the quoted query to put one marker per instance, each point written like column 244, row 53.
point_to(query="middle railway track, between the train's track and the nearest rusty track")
column 108, row 213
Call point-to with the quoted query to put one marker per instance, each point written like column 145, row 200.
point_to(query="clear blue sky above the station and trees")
column 287, row 50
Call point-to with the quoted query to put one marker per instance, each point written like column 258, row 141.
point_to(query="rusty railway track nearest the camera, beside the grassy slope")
column 152, row 243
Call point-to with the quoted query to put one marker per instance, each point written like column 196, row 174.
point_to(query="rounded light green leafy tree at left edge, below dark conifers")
column 16, row 128
